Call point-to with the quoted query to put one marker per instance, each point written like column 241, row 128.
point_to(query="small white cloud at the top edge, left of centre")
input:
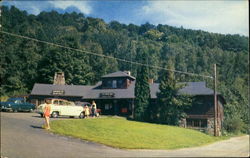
column 83, row 6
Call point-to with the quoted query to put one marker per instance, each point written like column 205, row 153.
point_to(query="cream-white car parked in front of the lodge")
column 61, row 107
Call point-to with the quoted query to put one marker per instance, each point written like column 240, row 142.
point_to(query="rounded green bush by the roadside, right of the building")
column 234, row 125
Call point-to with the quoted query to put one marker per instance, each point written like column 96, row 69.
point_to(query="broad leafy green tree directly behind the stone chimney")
column 72, row 63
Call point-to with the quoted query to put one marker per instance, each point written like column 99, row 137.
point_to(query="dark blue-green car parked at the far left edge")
column 17, row 104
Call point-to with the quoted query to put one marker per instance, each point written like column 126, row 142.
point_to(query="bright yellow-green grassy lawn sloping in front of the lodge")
column 121, row 133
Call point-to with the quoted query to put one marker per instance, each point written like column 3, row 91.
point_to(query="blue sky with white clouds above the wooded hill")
column 217, row 16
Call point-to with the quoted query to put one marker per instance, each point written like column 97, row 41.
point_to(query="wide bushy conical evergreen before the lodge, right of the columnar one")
column 170, row 104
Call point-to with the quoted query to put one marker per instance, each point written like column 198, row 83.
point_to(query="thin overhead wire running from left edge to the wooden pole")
column 101, row 55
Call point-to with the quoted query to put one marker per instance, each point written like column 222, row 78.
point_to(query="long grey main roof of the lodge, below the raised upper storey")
column 94, row 92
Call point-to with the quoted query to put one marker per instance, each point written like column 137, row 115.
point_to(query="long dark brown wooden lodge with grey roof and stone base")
column 114, row 95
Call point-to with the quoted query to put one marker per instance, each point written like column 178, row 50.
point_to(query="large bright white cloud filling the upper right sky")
column 213, row 16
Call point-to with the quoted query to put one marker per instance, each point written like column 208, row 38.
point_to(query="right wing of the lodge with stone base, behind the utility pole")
column 201, row 115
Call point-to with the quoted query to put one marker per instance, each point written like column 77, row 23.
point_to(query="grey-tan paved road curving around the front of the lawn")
column 22, row 137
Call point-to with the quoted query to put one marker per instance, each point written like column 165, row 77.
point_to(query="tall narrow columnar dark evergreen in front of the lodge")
column 142, row 91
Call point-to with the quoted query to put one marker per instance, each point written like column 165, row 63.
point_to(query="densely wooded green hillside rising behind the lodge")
column 25, row 62
